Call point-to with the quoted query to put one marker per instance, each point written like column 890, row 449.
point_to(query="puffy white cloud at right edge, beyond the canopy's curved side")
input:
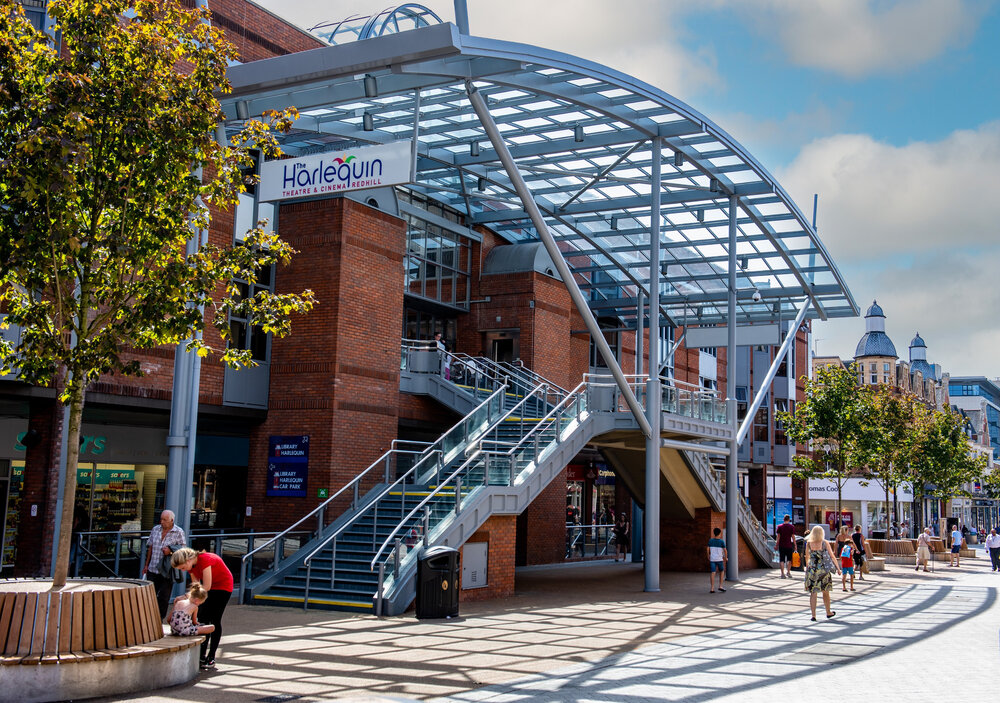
column 878, row 200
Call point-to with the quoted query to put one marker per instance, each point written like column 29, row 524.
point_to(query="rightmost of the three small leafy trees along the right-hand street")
column 942, row 460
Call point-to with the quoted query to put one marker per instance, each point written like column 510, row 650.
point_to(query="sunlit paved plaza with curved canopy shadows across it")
column 586, row 632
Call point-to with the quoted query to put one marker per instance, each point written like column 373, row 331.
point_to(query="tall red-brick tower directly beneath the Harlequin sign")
column 337, row 378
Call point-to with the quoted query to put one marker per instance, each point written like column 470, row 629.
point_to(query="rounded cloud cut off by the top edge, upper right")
column 856, row 38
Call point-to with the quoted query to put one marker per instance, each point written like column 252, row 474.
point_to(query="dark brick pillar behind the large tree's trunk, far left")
column 35, row 533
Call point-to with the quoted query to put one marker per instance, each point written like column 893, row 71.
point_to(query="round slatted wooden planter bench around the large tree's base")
column 94, row 637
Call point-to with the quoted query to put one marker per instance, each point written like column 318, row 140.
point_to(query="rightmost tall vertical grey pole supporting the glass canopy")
column 732, row 476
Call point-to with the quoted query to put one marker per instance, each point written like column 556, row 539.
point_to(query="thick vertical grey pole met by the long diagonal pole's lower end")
column 653, row 391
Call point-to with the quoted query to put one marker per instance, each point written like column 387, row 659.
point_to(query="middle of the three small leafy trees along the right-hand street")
column 886, row 440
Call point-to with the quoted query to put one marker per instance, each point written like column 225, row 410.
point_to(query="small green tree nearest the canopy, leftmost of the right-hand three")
column 830, row 420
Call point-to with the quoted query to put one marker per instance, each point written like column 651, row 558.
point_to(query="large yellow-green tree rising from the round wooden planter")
column 108, row 165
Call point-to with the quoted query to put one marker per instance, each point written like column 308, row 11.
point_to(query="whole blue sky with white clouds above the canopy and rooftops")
column 888, row 109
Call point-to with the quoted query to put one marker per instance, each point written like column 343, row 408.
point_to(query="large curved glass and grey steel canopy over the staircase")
column 581, row 136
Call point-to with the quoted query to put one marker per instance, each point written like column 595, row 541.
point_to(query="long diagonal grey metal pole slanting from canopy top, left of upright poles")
column 528, row 201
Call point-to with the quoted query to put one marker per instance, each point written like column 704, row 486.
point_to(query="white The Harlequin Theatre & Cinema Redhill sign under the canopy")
column 336, row 172
